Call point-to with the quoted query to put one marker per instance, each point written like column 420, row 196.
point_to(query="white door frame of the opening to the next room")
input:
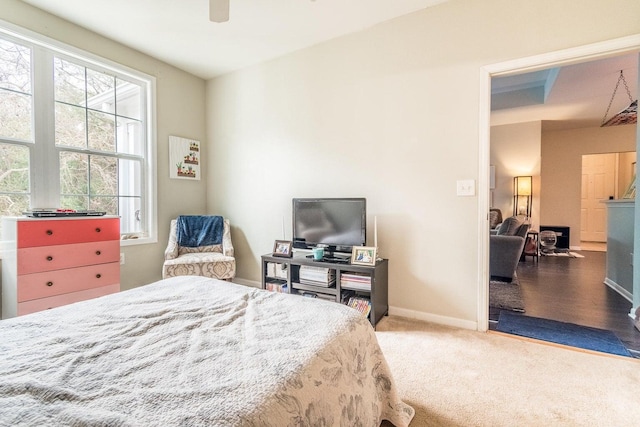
column 595, row 51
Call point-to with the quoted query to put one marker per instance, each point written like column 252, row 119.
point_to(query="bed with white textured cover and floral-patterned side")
column 195, row 351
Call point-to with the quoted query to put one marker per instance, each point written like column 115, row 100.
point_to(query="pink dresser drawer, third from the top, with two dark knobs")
column 50, row 283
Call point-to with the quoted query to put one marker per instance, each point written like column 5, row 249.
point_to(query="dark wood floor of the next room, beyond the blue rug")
column 572, row 290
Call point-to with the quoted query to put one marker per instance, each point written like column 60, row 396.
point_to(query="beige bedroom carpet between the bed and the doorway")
column 457, row 377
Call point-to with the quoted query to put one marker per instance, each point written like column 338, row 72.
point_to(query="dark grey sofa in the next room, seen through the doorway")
column 505, row 248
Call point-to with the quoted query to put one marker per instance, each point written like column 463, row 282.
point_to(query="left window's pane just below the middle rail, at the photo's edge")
column 14, row 168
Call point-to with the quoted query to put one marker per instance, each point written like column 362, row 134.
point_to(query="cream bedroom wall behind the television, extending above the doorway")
column 392, row 114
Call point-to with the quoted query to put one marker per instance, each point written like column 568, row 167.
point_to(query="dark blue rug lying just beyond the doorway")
column 561, row 333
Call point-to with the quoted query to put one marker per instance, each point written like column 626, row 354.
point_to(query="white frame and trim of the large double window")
column 41, row 165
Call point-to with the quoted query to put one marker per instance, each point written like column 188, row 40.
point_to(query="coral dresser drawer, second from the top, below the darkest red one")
column 58, row 257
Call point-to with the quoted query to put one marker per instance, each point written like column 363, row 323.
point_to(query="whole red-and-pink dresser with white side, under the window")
column 47, row 263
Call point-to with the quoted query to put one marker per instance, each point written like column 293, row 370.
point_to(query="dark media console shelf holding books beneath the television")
column 336, row 281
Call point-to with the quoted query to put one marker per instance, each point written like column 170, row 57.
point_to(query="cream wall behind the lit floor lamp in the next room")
column 515, row 151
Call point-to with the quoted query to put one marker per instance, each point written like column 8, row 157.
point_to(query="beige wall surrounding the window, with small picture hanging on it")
column 180, row 112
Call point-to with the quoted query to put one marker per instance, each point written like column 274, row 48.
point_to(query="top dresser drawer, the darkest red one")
column 63, row 232
